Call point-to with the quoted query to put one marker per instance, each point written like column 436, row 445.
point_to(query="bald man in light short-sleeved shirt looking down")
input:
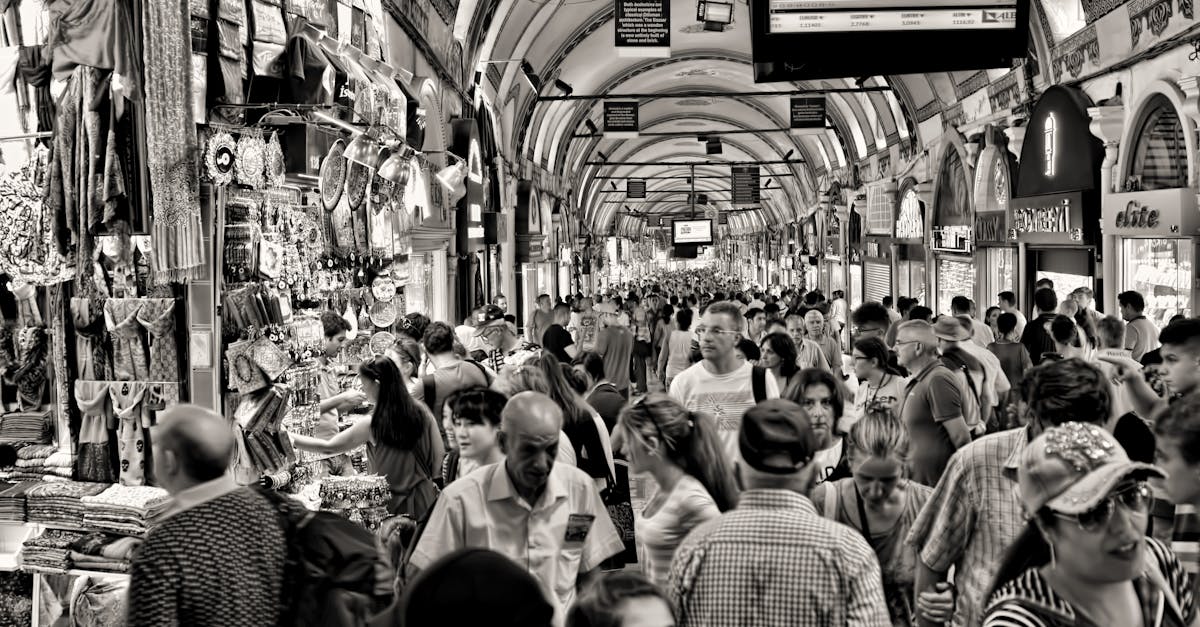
column 544, row 516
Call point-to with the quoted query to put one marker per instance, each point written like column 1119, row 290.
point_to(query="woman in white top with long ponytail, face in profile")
column 682, row 451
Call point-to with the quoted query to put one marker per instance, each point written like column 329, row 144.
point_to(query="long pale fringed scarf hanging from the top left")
column 177, row 250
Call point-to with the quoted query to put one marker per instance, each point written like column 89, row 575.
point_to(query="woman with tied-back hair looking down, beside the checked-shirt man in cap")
column 880, row 503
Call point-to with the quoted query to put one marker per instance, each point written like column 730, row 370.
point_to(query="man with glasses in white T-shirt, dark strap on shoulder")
column 722, row 385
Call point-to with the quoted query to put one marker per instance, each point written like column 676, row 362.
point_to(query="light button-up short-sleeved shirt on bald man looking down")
column 567, row 533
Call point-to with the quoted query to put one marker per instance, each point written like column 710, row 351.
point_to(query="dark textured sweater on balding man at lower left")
column 185, row 570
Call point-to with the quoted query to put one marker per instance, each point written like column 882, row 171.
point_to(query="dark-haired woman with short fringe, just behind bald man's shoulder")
column 476, row 425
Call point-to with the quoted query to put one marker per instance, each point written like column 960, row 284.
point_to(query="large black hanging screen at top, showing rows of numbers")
column 797, row 40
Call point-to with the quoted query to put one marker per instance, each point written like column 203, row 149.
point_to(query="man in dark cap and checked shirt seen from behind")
column 775, row 559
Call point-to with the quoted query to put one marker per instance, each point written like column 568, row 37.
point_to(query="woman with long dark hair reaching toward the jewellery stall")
column 403, row 439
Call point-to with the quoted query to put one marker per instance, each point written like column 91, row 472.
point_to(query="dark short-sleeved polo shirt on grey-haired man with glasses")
column 932, row 398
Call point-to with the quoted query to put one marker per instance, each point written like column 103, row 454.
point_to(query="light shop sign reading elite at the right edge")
column 1153, row 213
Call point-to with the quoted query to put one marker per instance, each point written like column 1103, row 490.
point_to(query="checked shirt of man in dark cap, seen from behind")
column 775, row 562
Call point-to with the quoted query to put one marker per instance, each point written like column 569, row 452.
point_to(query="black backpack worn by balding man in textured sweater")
column 337, row 574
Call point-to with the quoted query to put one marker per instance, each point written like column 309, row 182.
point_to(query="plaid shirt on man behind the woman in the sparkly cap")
column 973, row 517
